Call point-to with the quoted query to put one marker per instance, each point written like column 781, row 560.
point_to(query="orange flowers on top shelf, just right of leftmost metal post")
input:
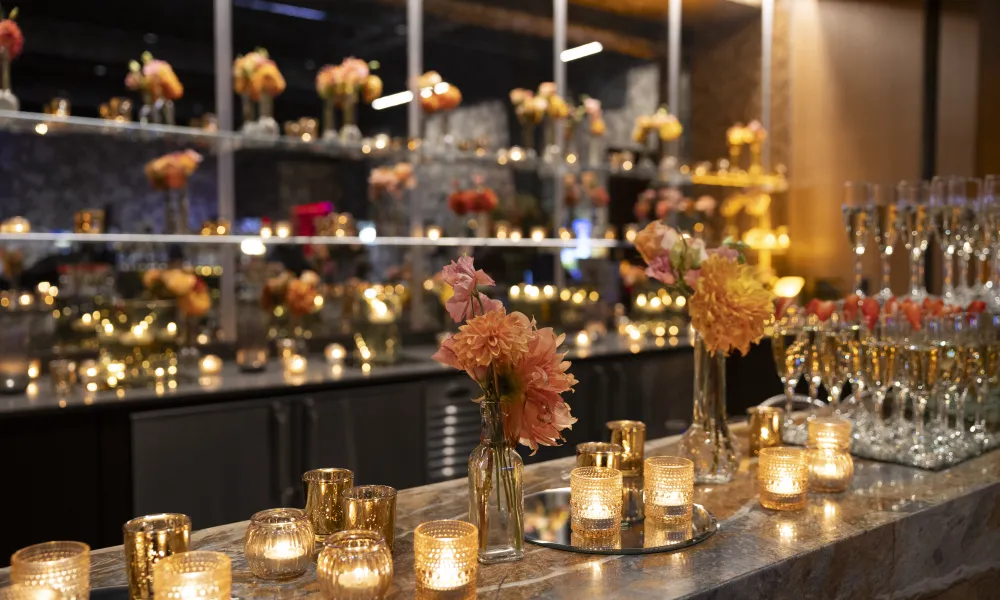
column 256, row 78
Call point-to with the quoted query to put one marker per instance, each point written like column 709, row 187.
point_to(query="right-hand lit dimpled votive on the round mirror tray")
column 668, row 488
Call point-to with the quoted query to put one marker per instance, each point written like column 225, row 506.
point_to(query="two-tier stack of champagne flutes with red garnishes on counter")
column 922, row 371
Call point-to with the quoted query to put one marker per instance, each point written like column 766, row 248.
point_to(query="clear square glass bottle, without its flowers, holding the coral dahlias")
column 496, row 497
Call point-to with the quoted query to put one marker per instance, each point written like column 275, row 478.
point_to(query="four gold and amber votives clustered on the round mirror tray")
column 597, row 485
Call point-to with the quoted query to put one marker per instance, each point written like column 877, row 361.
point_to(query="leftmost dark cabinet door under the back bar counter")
column 217, row 464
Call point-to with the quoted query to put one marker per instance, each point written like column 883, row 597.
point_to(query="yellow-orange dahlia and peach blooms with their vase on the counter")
column 729, row 309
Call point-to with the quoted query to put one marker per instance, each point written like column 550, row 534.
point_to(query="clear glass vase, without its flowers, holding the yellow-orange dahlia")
column 707, row 442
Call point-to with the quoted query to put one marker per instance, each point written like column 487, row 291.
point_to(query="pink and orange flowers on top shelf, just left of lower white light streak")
column 339, row 86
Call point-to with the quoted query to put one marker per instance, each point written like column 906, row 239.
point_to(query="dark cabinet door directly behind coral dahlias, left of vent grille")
column 377, row 432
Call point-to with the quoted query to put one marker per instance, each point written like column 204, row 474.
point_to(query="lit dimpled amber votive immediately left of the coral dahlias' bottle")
column 445, row 554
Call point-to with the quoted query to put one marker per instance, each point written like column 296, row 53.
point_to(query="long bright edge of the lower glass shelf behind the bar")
column 155, row 238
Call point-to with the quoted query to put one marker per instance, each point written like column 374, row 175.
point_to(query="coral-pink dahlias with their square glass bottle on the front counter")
column 522, row 377
